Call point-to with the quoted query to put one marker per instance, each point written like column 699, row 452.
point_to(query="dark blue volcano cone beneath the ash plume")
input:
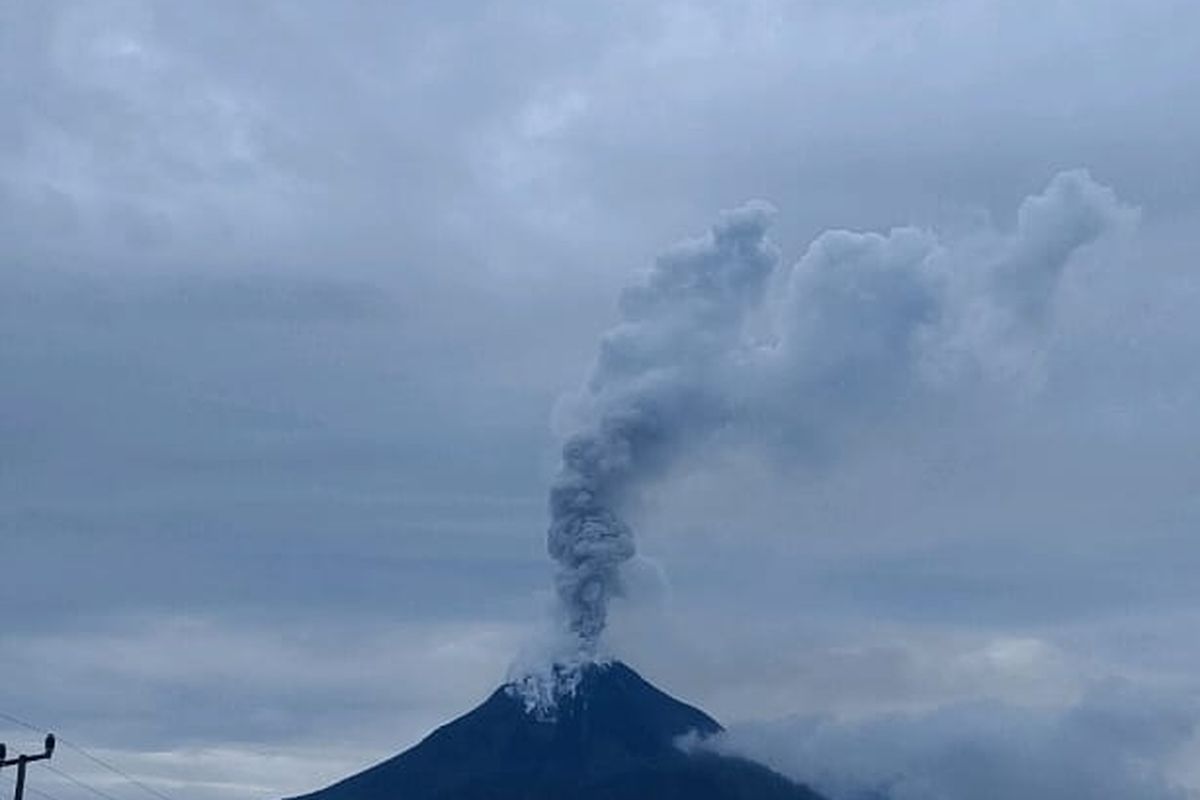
column 614, row 737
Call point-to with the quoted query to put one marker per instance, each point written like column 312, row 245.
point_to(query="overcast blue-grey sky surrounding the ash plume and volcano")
column 290, row 293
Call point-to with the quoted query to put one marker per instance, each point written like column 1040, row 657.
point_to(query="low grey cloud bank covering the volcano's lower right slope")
column 1117, row 742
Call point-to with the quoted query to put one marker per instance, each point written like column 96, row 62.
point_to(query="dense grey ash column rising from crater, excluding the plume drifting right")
column 652, row 389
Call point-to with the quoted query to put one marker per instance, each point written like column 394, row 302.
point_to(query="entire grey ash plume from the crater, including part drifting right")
column 867, row 328
